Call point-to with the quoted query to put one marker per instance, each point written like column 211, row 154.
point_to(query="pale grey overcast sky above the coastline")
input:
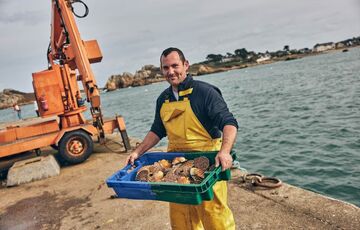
column 133, row 33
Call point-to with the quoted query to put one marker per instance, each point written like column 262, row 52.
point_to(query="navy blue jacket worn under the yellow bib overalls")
column 206, row 102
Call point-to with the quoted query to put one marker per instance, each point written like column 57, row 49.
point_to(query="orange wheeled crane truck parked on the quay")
column 62, row 124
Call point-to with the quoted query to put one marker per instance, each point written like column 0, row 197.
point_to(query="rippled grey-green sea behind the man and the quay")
column 299, row 120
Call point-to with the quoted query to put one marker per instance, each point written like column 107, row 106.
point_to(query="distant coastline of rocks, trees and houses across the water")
column 214, row 63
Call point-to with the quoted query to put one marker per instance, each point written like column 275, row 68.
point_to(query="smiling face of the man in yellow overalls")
column 173, row 69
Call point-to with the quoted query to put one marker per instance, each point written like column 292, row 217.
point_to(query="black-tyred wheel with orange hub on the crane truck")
column 75, row 147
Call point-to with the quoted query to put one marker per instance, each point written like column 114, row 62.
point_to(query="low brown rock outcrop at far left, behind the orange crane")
column 9, row 96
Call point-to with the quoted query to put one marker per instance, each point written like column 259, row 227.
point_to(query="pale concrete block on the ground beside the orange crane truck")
column 32, row 169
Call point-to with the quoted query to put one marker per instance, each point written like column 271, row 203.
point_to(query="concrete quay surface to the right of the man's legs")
column 288, row 207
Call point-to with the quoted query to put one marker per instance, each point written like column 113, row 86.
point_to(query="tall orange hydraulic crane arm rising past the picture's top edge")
column 68, row 50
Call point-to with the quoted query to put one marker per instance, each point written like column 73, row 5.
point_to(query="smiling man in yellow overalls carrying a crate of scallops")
column 194, row 117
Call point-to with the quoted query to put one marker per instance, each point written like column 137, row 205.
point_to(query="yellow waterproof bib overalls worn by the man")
column 186, row 133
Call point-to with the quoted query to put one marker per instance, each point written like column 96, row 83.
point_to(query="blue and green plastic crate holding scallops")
column 124, row 184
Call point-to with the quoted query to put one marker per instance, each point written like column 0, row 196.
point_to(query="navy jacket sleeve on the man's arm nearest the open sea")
column 217, row 109
